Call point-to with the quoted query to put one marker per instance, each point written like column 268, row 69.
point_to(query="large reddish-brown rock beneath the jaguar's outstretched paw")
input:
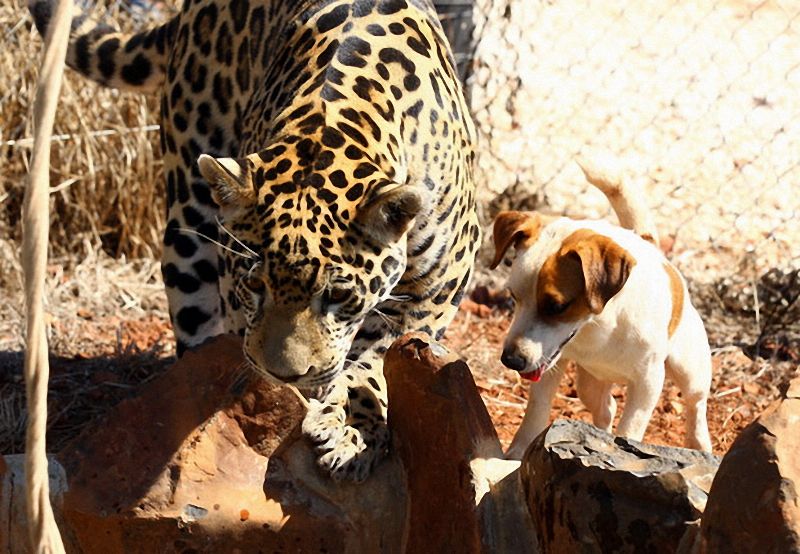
column 201, row 460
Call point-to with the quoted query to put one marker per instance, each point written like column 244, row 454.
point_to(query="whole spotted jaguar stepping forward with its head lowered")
column 335, row 171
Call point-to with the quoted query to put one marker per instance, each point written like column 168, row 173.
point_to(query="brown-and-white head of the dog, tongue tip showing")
column 562, row 276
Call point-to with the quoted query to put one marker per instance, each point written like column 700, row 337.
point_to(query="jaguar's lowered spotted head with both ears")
column 327, row 257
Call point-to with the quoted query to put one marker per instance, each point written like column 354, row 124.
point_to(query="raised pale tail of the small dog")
column 627, row 202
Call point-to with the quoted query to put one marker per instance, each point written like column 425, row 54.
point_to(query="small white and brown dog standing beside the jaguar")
column 608, row 299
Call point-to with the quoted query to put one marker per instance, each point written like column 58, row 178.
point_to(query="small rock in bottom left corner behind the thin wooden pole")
column 13, row 519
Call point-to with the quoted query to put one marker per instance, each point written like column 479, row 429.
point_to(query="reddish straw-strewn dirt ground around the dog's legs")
column 740, row 390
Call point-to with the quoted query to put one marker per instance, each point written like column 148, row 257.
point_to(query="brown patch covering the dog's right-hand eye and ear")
column 580, row 279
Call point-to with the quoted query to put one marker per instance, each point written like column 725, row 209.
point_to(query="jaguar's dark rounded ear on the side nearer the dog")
column 388, row 215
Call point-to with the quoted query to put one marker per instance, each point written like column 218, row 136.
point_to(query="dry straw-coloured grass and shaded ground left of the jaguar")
column 107, row 320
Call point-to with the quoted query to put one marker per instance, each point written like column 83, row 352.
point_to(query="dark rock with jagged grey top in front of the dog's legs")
column 589, row 491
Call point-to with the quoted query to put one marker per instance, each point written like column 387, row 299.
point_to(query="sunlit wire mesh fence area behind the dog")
column 698, row 100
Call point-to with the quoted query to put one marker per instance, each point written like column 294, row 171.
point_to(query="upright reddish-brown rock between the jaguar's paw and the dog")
column 461, row 496
